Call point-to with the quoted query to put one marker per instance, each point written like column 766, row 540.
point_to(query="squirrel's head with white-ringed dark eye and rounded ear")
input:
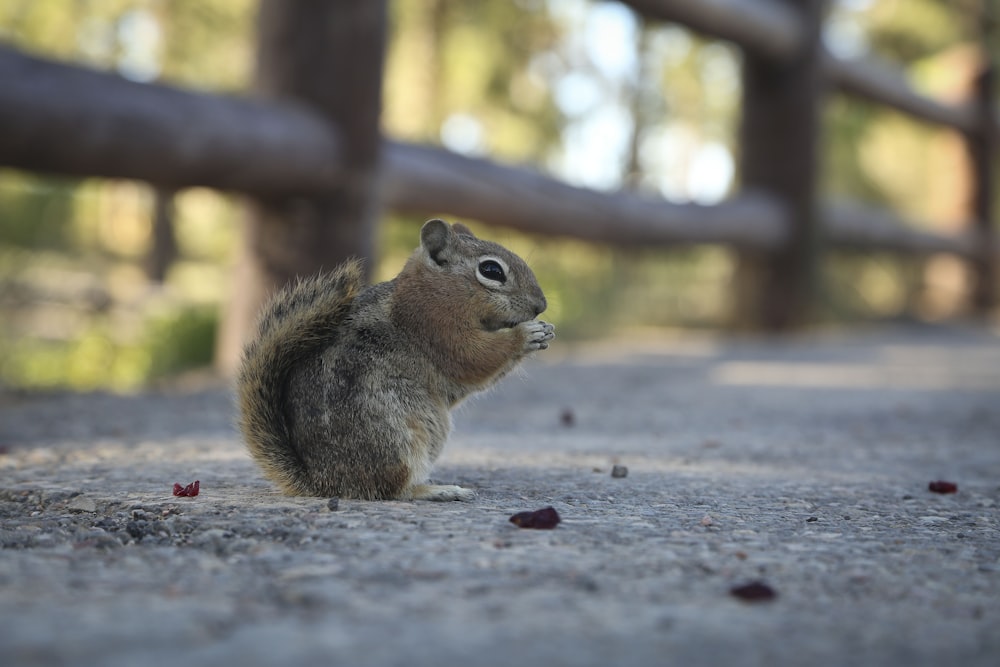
column 497, row 283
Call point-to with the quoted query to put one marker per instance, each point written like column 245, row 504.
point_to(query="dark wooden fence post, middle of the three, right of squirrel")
column 779, row 140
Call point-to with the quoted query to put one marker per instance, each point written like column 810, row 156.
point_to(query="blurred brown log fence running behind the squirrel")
column 307, row 149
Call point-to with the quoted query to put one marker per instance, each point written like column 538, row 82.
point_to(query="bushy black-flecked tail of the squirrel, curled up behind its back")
column 294, row 324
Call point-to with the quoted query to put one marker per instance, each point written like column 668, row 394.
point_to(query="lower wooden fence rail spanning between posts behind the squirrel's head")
column 421, row 179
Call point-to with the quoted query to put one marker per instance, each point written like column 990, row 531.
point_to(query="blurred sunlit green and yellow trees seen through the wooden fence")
column 582, row 90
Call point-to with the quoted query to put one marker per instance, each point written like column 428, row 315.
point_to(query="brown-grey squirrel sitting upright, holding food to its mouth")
column 346, row 391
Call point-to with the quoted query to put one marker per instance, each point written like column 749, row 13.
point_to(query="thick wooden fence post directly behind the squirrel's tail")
column 329, row 56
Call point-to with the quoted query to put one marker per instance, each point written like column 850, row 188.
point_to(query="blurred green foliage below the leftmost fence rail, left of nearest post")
column 77, row 311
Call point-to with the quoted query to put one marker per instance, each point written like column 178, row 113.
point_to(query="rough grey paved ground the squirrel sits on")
column 802, row 464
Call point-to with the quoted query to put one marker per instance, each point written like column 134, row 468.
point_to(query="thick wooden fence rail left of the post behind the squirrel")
column 71, row 120
